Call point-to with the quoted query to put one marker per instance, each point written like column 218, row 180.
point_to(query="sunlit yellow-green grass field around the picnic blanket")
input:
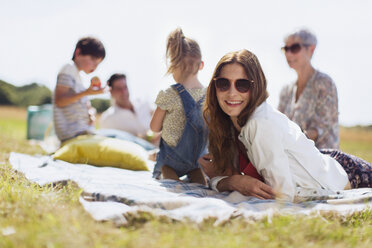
column 33, row 216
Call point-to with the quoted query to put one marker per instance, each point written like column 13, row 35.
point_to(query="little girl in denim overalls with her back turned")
column 178, row 114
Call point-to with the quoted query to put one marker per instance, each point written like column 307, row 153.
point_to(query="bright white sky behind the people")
column 38, row 37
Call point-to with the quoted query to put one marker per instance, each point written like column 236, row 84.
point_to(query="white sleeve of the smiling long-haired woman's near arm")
column 266, row 151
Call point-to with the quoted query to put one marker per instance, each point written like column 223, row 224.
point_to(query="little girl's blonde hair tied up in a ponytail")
column 183, row 53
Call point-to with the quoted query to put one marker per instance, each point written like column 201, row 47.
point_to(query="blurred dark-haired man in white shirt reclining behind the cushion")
column 125, row 116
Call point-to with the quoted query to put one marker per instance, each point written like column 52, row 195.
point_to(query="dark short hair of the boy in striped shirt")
column 90, row 46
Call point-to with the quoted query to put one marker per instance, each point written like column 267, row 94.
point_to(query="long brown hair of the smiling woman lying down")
column 222, row 144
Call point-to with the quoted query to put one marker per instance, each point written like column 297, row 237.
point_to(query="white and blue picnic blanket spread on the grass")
column 112, row 193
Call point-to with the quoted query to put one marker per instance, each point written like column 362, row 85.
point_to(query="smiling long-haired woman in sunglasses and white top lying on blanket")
column 257, row 150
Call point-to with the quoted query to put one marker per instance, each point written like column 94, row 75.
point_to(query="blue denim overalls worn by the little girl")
column 193, row 142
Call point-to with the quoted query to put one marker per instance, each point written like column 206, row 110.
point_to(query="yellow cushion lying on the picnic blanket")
column 103, row 151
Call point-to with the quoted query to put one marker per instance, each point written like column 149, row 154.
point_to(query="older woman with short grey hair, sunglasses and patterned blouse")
column 311, row 101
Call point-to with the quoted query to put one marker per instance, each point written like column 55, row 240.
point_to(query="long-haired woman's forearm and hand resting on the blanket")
column 246, row 185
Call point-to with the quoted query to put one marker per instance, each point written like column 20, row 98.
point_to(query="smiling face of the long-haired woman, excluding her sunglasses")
column 231, row 101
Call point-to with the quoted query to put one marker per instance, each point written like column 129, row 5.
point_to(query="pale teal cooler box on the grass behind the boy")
column 39, row 120
